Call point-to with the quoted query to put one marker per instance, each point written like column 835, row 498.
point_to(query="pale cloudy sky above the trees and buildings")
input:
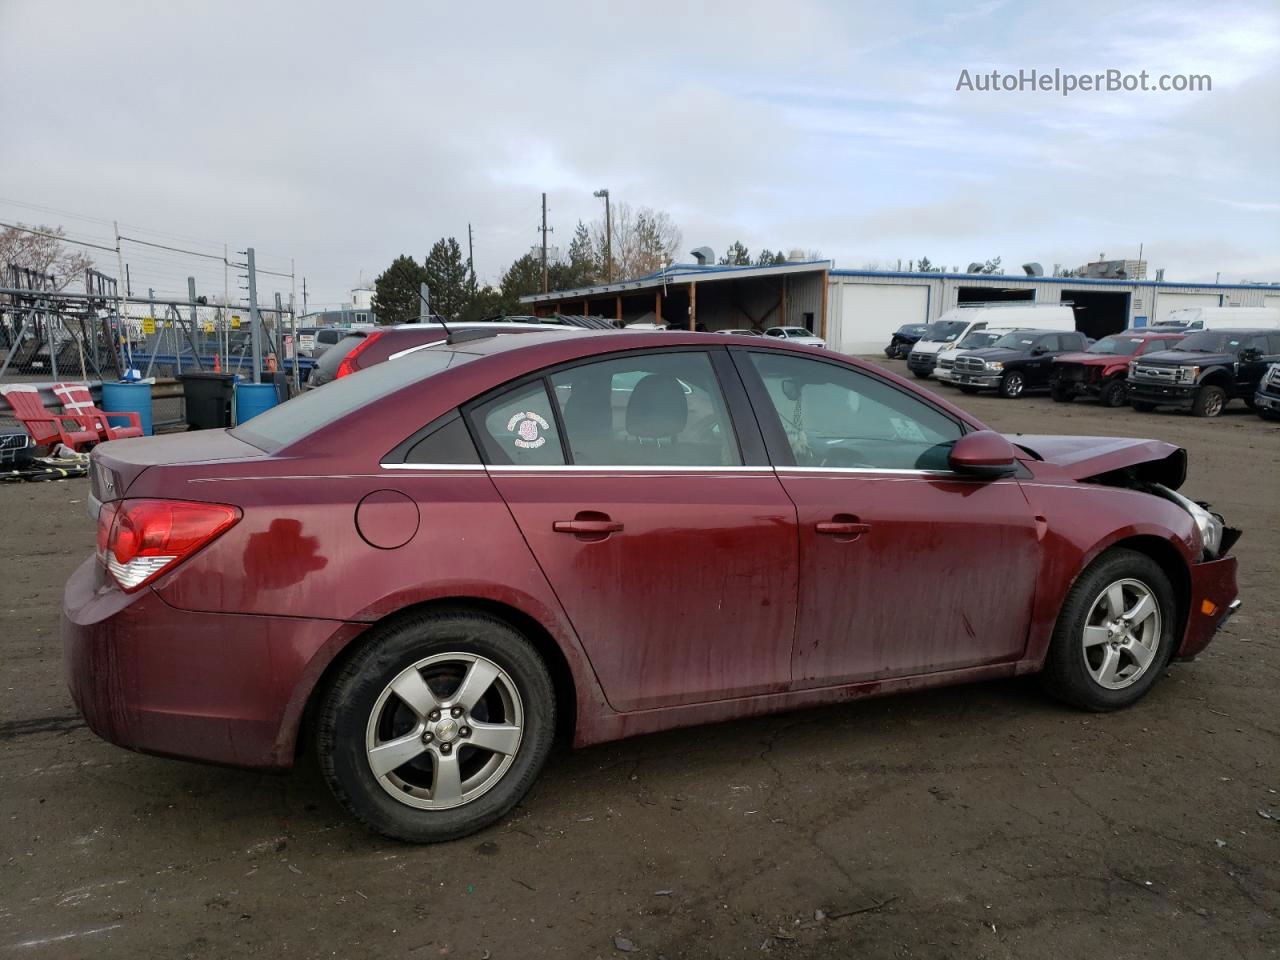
column 341, row 135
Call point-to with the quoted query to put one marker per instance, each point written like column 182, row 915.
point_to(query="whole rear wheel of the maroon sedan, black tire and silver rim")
column 432, row 657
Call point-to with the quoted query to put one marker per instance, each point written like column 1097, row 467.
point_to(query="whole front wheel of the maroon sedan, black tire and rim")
column 1085, row 648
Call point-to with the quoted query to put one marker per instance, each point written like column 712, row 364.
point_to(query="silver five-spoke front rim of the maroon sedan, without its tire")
column 1122, row 634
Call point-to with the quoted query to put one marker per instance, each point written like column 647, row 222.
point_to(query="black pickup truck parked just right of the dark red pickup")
column 1205, row 372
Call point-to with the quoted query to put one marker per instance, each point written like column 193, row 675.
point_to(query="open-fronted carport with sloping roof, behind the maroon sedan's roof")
column 706, row 298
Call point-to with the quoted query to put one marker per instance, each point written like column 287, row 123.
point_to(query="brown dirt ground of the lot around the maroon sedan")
column 971, row 822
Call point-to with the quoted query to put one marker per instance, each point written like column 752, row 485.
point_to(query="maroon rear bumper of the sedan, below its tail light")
column 205, row 687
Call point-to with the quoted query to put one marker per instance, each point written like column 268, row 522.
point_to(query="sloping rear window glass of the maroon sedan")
column 289, row 423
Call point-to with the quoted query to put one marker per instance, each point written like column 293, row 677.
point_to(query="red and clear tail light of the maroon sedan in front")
column 141, row 540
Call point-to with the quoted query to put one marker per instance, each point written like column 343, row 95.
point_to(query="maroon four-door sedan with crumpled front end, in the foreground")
column 422, row 572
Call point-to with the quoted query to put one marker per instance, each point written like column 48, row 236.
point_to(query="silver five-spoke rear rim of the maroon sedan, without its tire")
column 445, row 732
